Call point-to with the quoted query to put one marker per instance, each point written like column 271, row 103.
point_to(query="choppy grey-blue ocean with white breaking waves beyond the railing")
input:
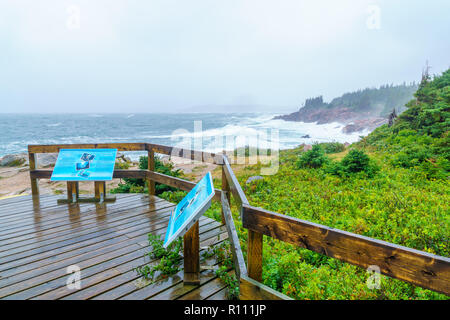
column 201, row 131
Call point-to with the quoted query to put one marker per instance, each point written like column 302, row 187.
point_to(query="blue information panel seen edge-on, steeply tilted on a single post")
column 190, row 209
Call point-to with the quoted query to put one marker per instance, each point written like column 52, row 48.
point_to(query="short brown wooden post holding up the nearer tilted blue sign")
column 192, row 256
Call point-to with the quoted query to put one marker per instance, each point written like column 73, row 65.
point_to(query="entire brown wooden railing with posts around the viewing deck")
column 417, row 267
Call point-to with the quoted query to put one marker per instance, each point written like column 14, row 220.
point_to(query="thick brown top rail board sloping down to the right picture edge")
column 417, row 267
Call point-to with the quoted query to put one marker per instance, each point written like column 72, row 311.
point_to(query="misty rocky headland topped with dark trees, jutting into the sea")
column 360, row 110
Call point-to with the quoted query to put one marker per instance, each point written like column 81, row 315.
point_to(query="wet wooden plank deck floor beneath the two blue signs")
column 40, row 239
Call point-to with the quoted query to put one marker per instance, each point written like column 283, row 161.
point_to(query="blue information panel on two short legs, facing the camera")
column 84, row 165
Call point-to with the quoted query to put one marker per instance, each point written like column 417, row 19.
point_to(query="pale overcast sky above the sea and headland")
column 158, row 56
